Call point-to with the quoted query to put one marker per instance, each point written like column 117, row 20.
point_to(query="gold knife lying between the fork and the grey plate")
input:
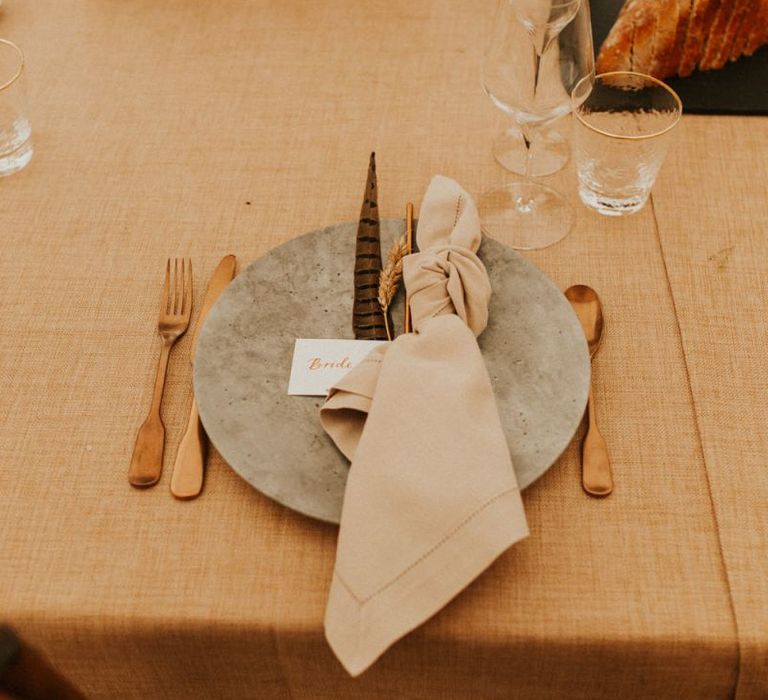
column 187, row 479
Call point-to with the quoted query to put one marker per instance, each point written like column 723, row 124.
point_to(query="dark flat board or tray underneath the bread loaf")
column 739, row 88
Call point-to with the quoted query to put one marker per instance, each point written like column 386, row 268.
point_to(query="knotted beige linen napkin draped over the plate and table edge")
column 432, row 497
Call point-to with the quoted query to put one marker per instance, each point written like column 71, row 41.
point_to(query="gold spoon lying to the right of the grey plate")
column 596, row 477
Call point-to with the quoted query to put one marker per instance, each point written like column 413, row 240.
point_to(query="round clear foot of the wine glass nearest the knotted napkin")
column 526, row 215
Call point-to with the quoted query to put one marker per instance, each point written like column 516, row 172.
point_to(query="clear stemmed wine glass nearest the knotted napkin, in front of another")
column 538, row 52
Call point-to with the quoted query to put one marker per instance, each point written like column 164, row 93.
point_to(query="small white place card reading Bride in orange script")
column 318, row 363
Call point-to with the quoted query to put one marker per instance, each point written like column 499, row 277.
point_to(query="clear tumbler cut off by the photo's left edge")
column 15, row 130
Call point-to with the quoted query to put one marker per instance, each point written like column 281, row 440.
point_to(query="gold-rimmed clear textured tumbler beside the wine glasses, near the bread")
column 623, row 127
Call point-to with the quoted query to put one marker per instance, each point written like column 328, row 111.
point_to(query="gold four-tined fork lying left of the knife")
column 175, row 310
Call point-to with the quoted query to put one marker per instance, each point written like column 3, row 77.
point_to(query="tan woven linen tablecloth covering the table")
column 208, row 128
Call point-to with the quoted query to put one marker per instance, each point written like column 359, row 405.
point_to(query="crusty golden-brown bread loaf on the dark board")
column 675, row 37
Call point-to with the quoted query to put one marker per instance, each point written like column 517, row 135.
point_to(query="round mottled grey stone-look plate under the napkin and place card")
column 534, row 349
